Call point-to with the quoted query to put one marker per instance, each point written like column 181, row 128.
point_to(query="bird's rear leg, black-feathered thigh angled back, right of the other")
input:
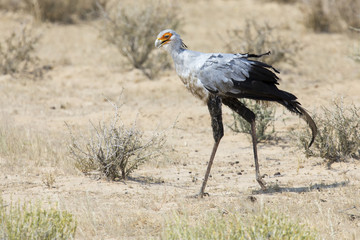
column 249, row 116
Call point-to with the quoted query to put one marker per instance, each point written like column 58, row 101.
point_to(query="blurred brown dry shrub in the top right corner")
column 330, row 15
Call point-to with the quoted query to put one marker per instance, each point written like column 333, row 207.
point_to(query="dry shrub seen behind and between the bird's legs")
column 265, row 117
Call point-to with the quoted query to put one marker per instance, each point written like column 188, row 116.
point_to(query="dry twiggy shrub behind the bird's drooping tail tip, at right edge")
column 338, row 133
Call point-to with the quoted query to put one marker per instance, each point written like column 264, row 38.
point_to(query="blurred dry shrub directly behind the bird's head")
column 132, row 29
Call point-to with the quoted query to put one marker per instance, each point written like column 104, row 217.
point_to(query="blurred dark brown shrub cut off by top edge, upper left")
column 63, row 11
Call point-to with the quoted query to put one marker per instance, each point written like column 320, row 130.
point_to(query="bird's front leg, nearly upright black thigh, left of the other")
column 214, row 106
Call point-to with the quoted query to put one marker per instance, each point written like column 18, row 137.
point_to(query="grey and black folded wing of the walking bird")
column 235, row 74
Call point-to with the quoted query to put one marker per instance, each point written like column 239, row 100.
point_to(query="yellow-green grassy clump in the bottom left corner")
column 33, row 221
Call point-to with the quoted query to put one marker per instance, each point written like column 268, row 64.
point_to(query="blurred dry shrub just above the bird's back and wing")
column 255, row 38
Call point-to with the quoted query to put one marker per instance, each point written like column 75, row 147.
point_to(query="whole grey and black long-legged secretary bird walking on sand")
column 219, row 78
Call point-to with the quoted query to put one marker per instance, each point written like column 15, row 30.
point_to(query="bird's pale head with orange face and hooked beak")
column 169, row 39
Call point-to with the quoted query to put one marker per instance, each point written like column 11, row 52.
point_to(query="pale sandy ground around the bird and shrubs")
column 87, row 71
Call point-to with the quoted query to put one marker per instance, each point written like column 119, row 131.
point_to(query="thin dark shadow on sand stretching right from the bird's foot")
column 313, row 187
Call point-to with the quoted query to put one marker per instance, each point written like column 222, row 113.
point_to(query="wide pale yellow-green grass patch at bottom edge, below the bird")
column 265, row 225
